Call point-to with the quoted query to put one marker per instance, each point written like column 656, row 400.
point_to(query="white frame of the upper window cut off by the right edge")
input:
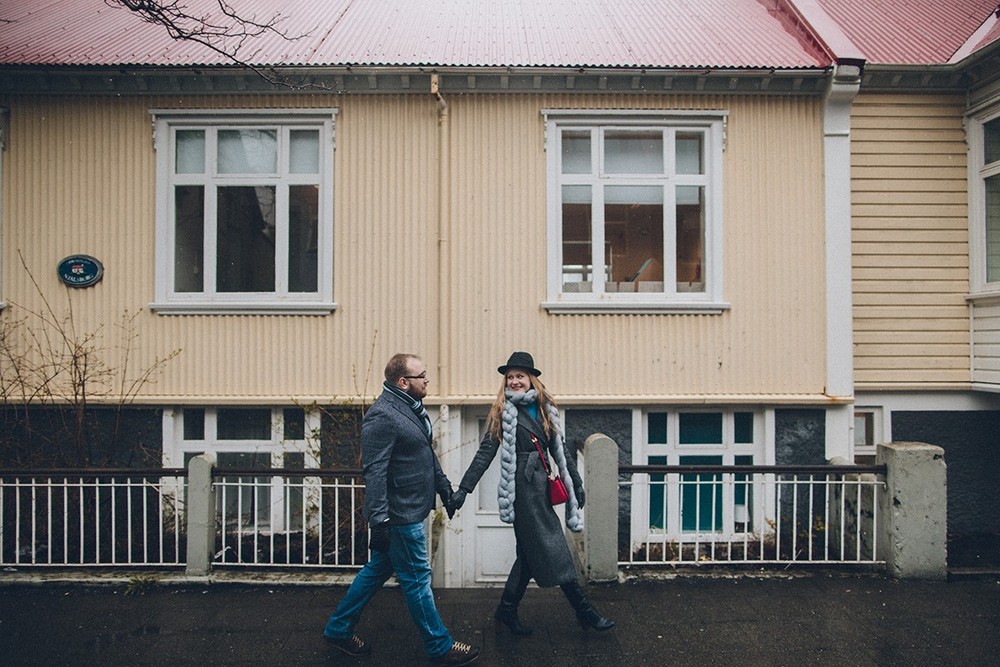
column 979, row 171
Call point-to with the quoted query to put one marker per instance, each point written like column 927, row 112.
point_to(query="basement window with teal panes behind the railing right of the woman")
column 711, row 504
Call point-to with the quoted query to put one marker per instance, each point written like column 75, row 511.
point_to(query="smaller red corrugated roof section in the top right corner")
column 905, row 32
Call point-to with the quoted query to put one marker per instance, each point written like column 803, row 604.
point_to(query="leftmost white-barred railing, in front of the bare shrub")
column 87, row 517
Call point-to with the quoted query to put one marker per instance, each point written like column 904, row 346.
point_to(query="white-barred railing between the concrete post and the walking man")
column 280, row 517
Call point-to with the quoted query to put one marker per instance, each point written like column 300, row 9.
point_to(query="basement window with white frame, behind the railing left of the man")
column 248, row 438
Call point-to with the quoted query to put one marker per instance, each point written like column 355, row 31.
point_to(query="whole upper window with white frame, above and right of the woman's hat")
column 634, row 211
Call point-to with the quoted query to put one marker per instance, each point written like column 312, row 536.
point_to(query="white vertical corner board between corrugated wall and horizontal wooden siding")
column 844, row 86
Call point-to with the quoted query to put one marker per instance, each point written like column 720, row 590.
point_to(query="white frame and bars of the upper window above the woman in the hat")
column 713, row 125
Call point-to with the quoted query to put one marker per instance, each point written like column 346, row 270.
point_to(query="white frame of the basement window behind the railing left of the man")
column 175, row 447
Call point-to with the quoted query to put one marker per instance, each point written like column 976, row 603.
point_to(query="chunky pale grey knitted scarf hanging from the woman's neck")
column 508, row 459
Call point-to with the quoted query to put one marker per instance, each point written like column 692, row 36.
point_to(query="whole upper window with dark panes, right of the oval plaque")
column 244, row 212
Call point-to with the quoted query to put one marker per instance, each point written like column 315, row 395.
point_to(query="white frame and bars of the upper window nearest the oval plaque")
column 170, row 302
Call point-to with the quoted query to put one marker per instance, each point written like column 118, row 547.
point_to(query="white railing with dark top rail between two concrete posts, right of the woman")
column 749, row 514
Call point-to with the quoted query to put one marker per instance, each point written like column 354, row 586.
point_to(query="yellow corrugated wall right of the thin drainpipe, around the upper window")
column 769, row 342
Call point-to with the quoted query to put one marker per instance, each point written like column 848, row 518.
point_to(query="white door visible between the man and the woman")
column 487, row 543
